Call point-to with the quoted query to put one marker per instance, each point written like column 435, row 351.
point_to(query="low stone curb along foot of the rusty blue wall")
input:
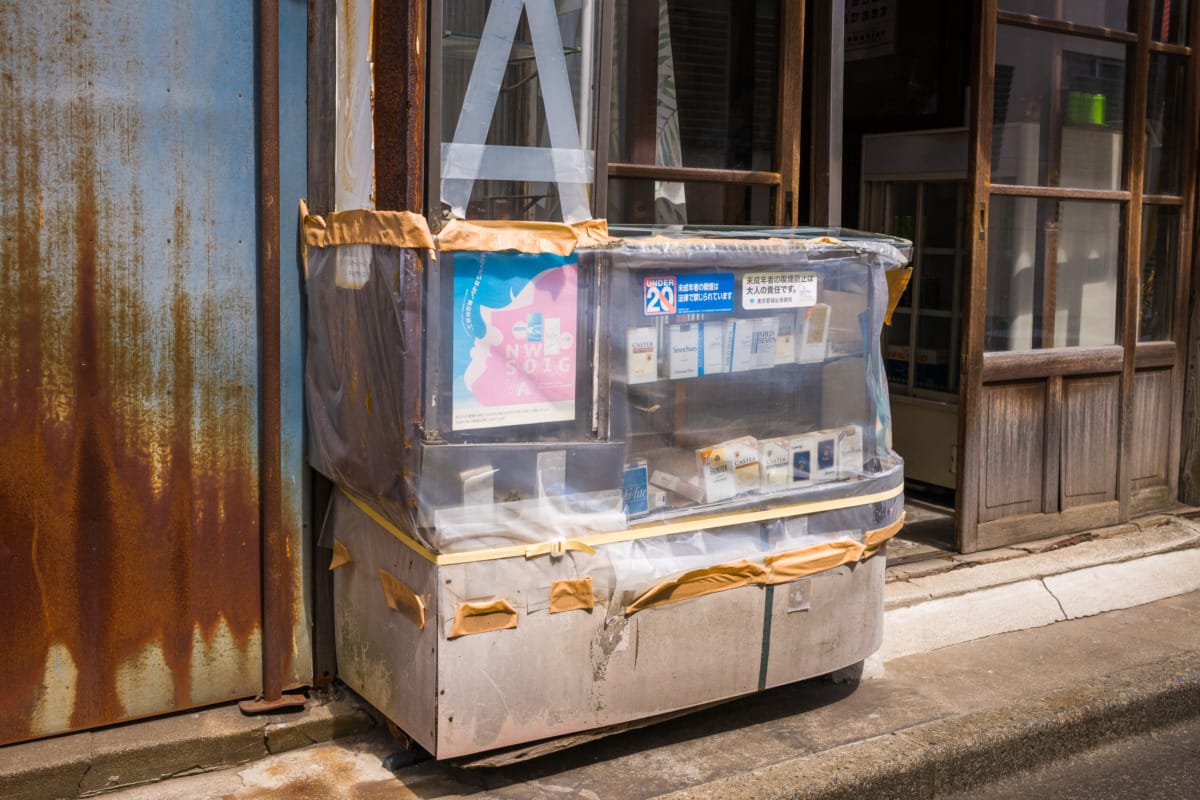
column 94, row 762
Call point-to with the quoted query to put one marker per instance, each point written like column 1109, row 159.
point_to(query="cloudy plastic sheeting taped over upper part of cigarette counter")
column 663, row 416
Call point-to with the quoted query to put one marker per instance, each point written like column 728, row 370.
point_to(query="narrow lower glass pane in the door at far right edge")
column 1160, row 263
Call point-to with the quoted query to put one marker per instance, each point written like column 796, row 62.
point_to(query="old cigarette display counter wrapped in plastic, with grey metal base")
column 587, row 480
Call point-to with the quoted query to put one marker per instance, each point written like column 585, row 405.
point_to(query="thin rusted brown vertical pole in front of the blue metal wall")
column 277, row 567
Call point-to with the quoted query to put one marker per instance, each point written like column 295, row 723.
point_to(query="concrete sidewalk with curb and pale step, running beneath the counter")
column 991, row 664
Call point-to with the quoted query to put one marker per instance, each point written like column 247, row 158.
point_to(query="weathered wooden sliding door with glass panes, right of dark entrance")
column 1083, row 173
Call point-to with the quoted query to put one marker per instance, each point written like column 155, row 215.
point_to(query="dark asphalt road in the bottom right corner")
column 1163, row 766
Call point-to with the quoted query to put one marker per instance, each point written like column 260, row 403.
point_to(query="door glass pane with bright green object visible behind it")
column 1059, row 111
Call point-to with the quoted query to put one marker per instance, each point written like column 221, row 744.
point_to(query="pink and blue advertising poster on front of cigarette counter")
column 515, row 339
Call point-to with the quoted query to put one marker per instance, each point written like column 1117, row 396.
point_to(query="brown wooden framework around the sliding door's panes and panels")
column 1054, row 365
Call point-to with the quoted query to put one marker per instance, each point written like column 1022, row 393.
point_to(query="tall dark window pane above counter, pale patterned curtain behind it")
column 695, row 85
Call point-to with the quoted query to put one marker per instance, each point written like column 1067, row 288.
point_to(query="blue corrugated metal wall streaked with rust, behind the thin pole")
column 130, row 579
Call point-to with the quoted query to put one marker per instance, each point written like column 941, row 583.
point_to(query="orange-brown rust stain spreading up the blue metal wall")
column 128, row 471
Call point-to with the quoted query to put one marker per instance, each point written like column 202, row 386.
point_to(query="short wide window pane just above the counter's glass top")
column 644, row 202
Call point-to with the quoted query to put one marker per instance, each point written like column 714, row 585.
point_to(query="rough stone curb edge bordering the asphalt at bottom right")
column 961, row 753
